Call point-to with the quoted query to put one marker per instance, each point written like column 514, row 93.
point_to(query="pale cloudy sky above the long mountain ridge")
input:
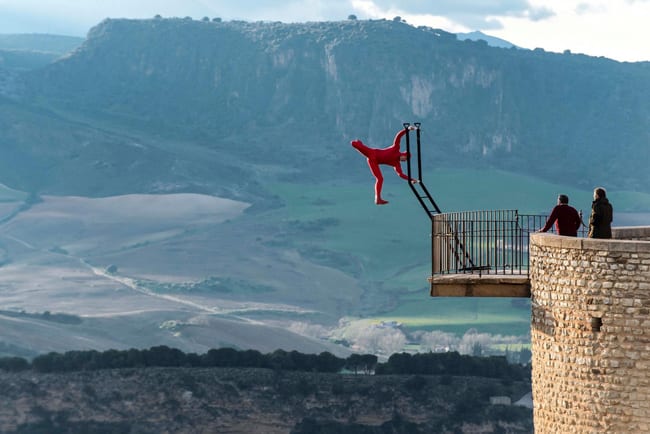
column 616, row 29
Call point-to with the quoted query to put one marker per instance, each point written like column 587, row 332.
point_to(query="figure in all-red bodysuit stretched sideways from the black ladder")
column 390, row 156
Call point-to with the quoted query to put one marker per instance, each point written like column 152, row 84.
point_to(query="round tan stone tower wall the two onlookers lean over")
column 590, row 333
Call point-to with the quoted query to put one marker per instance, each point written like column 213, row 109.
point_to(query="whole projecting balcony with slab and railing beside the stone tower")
column 482, row 253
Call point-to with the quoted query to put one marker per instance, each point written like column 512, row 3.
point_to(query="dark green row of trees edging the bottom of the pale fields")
column 450, row 363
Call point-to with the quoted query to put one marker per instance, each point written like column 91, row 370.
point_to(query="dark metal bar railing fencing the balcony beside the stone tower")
column 483, row 242
